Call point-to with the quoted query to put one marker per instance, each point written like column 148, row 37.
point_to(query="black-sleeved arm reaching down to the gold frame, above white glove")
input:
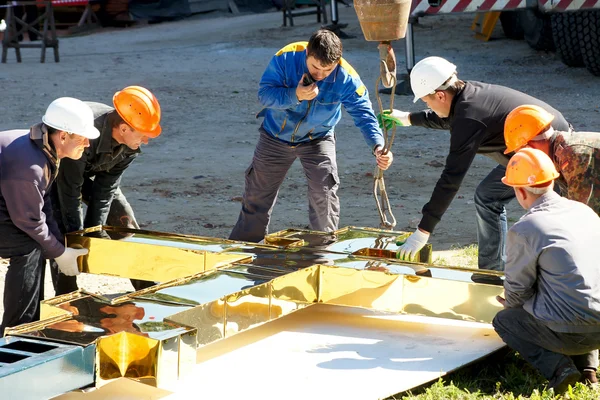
column 463, row 148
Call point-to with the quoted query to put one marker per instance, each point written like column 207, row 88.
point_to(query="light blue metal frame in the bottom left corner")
column 35, row 369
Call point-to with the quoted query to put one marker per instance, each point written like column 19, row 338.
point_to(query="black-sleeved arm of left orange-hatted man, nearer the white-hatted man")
column 68, row 185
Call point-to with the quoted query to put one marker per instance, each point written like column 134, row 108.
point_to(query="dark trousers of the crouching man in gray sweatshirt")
column 545, row 349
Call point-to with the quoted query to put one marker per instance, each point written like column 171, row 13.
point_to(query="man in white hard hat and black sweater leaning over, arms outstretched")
column 474, row 113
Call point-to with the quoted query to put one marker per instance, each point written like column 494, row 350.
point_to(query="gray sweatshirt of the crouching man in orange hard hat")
column 552, row 267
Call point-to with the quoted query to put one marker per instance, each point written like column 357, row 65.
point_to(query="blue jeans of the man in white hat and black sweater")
column 491, row 197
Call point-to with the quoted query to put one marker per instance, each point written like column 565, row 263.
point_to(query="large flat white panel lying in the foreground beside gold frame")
column 329, row 352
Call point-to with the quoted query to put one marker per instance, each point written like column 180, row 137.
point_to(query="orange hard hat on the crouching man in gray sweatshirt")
column 529, row 167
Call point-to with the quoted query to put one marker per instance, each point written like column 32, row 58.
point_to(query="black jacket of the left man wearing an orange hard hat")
column 100, row 167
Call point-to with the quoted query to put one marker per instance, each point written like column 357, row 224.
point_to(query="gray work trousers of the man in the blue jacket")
column 270, row 164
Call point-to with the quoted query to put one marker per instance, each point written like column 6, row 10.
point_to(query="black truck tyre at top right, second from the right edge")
column 566, row 38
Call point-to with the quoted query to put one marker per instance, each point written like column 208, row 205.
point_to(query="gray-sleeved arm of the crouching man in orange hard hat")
column 520, row 270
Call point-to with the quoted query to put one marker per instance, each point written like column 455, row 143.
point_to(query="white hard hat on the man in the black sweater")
column 429, row 74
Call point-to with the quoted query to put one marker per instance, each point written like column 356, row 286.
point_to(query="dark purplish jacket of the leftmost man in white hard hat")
column 28, row 166
